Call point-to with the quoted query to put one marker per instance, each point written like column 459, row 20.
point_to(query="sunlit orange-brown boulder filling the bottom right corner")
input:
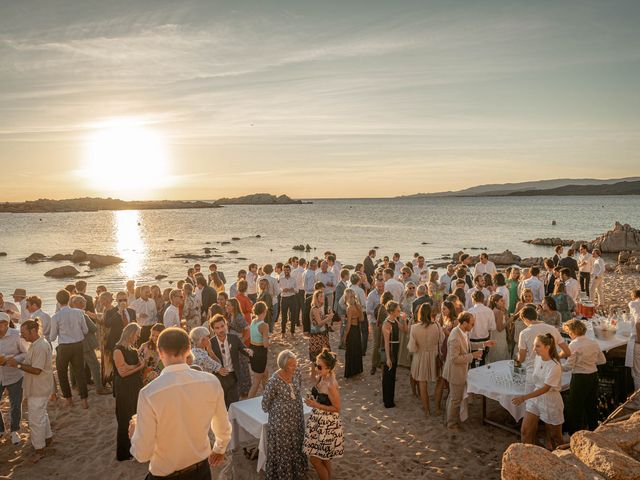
column 600, row 453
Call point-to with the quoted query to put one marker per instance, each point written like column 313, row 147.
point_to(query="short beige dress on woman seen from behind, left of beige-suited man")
column 424, row 344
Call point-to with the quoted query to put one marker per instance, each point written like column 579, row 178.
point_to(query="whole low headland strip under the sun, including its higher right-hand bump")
column 90, row 204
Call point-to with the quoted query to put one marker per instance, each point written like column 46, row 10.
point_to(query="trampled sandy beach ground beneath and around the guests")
column 380, row 443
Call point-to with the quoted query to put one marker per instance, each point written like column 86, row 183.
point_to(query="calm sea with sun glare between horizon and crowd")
column 347, row 227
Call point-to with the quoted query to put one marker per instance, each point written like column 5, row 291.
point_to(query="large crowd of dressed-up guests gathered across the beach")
column 160, row 352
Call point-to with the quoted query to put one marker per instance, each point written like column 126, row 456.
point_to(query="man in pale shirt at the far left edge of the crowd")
column 11, row 346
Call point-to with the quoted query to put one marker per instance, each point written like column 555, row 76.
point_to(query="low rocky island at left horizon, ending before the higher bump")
column 89, row 204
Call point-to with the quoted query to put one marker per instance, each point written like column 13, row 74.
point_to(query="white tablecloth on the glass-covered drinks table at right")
column 494, row 381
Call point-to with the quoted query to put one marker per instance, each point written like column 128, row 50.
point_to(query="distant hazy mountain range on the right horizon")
column 561, row 186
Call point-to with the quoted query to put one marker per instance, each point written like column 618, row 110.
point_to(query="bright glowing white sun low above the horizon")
column 125, row 158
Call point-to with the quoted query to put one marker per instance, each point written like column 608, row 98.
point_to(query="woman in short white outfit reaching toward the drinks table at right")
column 545, row 402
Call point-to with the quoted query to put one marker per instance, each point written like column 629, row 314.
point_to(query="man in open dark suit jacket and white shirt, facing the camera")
column 227, row 348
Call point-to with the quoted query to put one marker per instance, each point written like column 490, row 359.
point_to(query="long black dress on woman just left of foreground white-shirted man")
column 126, row 390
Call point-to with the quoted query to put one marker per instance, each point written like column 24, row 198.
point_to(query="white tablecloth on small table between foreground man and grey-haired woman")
column 249, row 422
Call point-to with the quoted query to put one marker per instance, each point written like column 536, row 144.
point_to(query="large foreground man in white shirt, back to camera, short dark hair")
column 175, row 413
